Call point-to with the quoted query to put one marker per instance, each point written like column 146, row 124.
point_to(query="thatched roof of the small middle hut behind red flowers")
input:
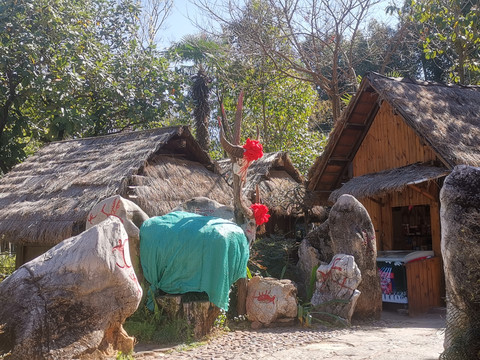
column 280, row 183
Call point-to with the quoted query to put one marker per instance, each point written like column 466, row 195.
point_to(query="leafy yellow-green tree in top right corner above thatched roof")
column 451, row 33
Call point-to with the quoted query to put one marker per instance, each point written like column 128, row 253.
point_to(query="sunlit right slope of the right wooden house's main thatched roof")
column 447, row 117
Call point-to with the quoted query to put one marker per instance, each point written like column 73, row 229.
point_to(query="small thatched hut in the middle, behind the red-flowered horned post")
column 281, row 188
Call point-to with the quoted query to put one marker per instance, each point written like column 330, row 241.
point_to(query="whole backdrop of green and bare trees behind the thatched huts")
column 86, row 68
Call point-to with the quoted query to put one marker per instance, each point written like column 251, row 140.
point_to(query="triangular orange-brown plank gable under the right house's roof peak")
column 389, row 143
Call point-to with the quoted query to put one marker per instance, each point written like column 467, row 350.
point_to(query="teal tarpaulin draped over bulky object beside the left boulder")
column 183, row 252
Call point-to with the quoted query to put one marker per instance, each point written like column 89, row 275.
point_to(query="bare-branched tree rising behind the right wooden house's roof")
column 310, row 41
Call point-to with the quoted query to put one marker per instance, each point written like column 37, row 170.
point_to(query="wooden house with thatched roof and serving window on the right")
column 394, row 145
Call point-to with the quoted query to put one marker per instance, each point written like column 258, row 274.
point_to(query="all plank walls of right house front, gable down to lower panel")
column 391, row 143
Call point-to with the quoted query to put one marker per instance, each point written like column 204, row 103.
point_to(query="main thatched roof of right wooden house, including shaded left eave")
column 445, row 117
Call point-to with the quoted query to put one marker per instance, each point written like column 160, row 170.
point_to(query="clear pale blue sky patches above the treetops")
column 179, row 24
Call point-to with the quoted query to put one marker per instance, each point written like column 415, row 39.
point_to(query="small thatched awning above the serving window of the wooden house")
column 383, row 182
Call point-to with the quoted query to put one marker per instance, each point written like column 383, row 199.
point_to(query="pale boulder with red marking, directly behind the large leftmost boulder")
column 131, row 216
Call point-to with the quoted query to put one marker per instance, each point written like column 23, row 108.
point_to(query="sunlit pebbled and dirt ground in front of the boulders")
column 396, row 336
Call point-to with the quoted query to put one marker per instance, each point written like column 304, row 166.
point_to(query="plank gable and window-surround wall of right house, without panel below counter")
column 391, row 143
